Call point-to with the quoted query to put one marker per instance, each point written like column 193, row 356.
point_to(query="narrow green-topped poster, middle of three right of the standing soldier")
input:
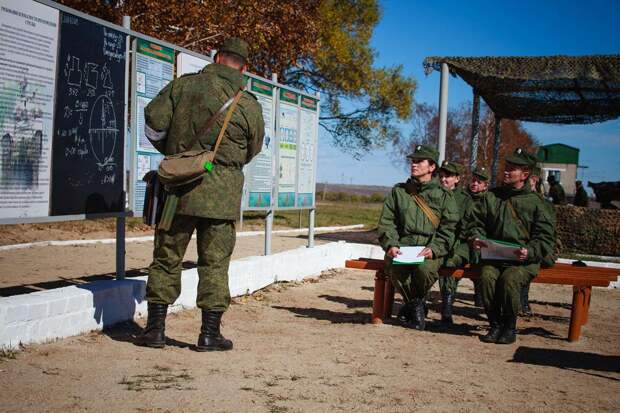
column 287, row 147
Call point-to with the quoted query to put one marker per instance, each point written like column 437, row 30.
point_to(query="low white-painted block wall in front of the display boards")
column 48, row 315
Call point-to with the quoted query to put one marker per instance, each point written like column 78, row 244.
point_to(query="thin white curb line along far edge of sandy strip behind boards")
column 148, row 238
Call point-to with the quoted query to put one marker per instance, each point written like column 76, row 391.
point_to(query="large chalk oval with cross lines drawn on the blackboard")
column 103, row 131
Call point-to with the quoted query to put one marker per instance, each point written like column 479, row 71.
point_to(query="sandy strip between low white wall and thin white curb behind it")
column 40, row 268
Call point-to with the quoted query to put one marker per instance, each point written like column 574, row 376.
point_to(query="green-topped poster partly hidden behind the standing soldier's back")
column 260, row 172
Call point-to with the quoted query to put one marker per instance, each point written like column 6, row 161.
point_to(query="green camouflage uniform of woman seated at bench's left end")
column 403, row 223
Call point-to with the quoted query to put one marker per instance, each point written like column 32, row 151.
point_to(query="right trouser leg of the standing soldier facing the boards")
column 215, row 241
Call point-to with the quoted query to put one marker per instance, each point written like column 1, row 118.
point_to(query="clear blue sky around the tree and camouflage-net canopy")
column 409, row 31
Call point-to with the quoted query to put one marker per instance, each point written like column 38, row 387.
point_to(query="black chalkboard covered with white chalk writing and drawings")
column 88, row 141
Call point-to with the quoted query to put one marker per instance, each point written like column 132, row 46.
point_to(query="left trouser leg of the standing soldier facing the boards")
column 164, row 282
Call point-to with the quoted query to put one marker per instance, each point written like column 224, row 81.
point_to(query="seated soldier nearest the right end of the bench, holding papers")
column 517, row 215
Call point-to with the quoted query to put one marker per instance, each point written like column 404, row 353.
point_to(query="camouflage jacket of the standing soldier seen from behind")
column 182, row 109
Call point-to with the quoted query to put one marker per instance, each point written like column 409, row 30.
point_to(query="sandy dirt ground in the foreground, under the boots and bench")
column 306, row 347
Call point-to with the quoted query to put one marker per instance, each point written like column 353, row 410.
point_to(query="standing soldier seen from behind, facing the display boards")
column 174, row 119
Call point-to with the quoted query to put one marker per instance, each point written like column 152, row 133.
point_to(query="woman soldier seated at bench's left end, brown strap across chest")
column 419, row 212
